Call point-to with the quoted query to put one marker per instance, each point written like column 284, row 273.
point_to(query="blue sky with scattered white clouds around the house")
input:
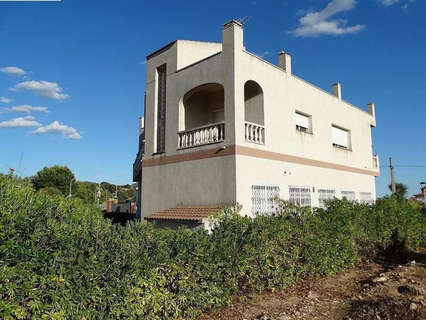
column 76, row 88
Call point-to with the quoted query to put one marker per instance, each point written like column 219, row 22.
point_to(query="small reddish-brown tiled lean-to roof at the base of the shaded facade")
column 184, row 213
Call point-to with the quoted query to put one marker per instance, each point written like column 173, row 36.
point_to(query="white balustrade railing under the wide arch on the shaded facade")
column 212, row 133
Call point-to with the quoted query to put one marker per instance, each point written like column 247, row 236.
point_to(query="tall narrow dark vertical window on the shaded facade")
column 161, row 108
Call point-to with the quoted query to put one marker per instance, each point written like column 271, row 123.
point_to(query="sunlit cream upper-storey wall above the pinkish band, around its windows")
column 283, row 95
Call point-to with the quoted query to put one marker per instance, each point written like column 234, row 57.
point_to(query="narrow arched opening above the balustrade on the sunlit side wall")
column 253, row 103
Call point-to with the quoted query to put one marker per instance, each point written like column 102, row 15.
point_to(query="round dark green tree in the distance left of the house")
column 58, row 177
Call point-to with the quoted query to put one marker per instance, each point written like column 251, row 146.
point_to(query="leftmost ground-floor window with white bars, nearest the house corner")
column 263, row 199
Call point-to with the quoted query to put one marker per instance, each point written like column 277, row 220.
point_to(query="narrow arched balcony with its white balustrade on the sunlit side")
column 254, row 112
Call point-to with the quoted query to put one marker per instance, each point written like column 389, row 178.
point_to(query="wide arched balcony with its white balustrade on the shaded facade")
column 201, row 116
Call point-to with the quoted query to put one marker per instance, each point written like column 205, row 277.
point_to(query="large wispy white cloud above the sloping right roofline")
column 318, row 23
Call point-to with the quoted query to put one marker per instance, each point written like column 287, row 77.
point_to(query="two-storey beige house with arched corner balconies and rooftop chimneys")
column 223, row 126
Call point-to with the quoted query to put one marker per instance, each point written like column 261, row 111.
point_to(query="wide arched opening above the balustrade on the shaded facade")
column 204, row 105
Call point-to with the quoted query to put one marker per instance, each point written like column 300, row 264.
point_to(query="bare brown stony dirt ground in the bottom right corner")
column 373, row 291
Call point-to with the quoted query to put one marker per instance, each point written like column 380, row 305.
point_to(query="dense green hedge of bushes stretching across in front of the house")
column 59, row 259
